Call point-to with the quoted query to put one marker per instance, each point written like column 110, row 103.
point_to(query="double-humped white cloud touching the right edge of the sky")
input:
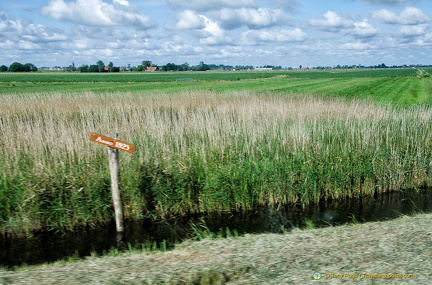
column 409, row 16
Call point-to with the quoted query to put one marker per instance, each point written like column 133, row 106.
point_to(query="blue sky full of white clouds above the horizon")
column 234, row 32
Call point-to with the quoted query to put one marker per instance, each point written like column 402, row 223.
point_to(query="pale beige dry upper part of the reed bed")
column 61, row 121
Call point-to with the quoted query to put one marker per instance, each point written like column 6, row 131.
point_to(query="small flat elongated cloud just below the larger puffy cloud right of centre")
column 255, row 37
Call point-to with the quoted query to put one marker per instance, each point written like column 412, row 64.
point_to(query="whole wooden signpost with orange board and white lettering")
column 113, row 146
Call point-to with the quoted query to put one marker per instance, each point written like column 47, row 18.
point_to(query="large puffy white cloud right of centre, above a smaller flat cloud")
column 252, row 18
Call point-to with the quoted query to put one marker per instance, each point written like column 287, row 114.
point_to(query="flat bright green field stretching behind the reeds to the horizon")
column 399, row 86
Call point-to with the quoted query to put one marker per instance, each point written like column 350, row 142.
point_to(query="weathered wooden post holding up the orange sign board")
column 114, row 166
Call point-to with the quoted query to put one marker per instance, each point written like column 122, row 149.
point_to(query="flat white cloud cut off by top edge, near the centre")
column 206, row 5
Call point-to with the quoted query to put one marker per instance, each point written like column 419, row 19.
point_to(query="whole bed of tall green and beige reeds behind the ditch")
column 200, row 152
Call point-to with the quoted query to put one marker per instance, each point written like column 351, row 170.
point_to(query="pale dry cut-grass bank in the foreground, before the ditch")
column 391, row 252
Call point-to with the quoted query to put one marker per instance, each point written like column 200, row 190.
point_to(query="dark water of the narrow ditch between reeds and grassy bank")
column 46, row 246
